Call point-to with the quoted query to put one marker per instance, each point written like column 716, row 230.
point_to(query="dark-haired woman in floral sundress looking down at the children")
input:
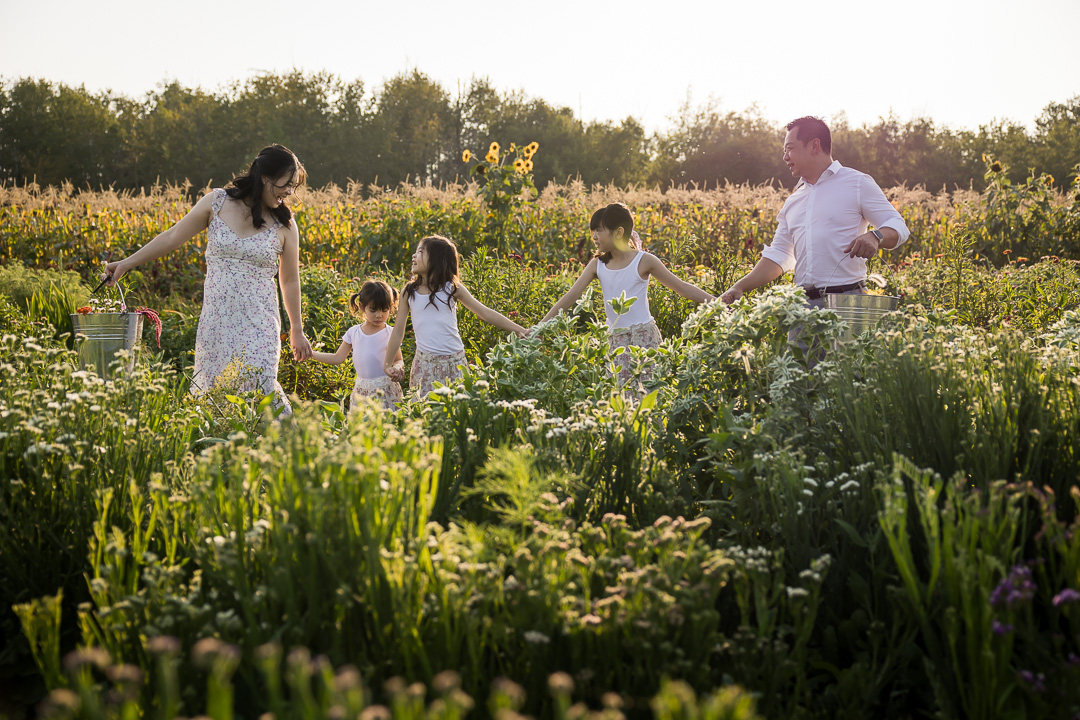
column 252, row 237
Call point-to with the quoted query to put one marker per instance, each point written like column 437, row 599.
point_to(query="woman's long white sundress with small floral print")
column 240, row 324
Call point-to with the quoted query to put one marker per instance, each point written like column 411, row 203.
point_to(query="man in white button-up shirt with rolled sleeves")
column 822, row 227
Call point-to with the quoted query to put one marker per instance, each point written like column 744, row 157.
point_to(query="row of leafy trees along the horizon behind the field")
column 412, row 129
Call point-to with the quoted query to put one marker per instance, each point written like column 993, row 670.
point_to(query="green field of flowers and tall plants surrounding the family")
column 892, row 535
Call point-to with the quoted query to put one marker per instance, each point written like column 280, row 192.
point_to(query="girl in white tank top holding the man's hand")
column 625, row 270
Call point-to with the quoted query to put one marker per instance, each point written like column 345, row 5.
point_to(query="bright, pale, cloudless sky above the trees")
column 963, row 63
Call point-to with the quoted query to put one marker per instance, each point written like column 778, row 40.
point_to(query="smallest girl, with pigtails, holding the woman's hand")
column 368, row 344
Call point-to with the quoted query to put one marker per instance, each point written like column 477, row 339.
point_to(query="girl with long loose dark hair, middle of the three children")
column 431, row 300
